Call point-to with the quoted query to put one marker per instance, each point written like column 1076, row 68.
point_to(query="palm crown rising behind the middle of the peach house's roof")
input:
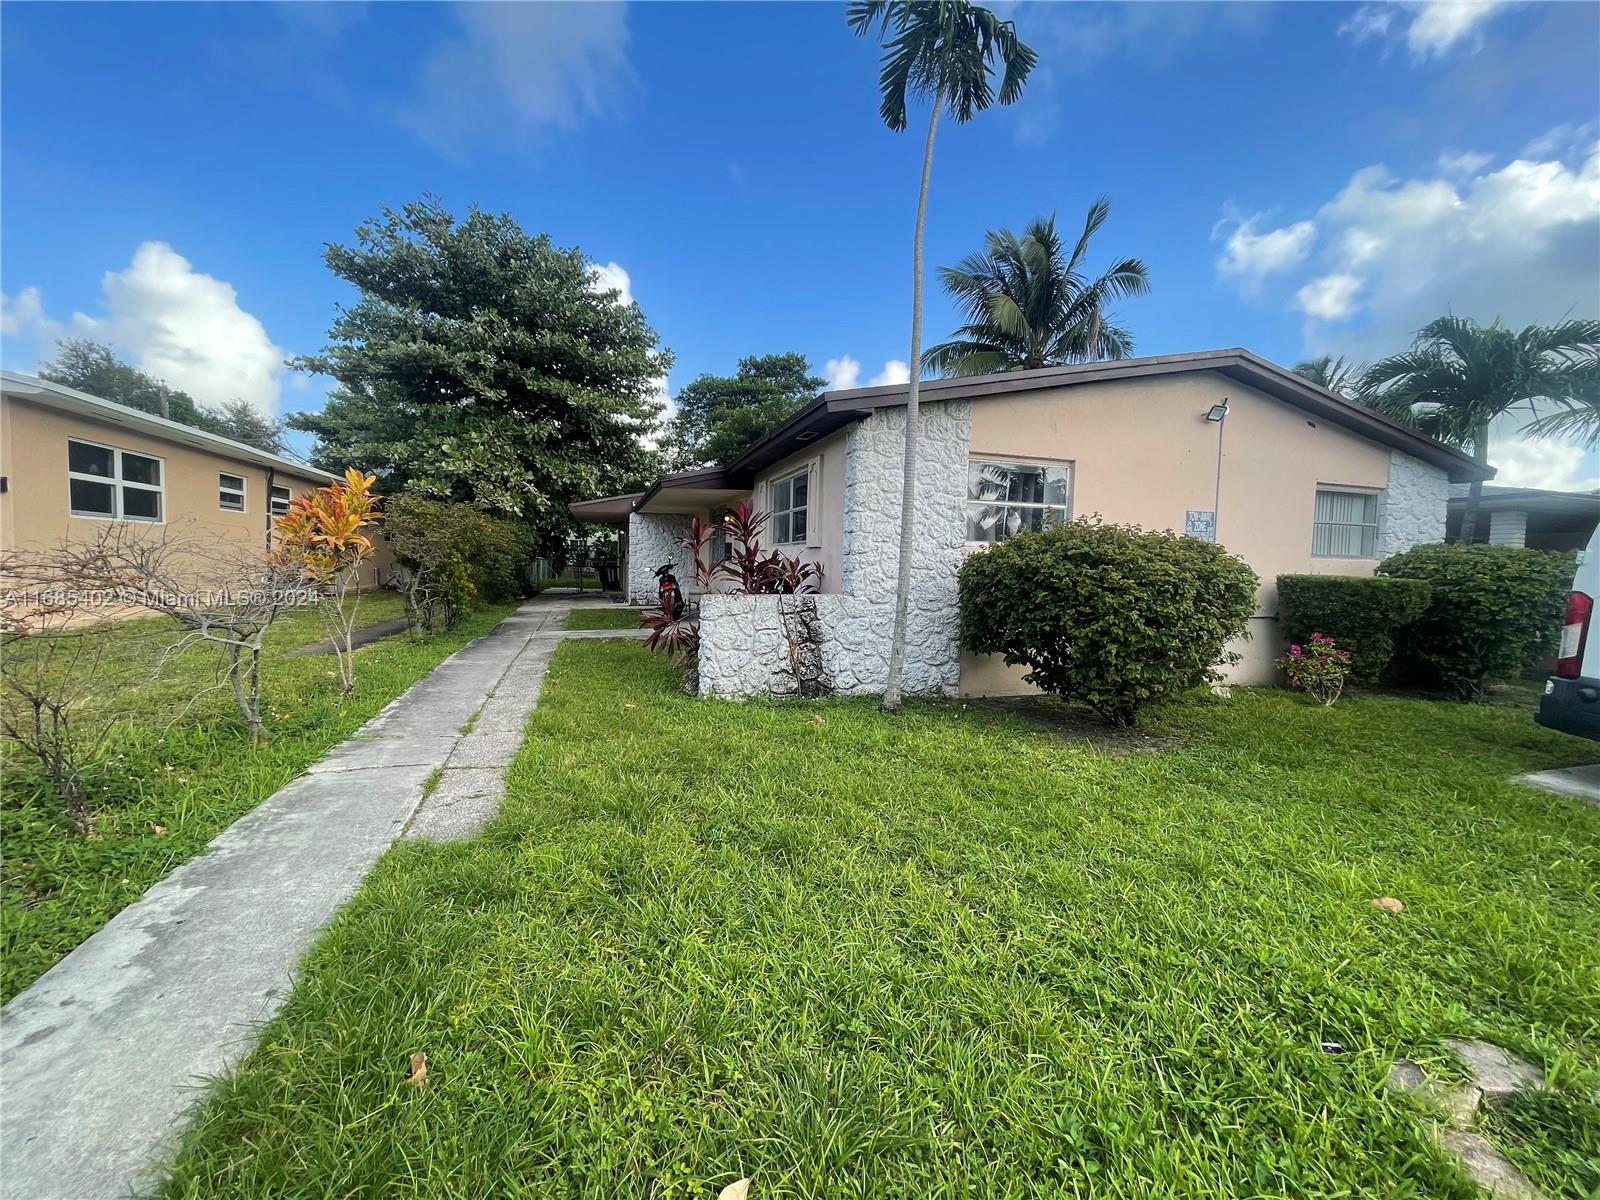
column 1030, row 303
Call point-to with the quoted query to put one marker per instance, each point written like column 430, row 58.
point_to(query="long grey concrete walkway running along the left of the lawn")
column 105, row 1055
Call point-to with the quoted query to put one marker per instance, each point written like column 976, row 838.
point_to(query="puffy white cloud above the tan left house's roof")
column 177, row 324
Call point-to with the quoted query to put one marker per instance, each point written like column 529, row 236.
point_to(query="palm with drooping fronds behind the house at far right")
column 1458, row 377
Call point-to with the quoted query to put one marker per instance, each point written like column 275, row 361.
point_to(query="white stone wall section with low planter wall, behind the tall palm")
column 756, row 644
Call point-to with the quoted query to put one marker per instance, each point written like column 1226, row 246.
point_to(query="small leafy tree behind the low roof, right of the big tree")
column 719, row 417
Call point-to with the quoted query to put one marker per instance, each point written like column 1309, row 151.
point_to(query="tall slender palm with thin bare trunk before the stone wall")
column 943, row 50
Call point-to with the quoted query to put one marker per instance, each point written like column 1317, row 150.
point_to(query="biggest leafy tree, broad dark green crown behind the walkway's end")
column 487, row 366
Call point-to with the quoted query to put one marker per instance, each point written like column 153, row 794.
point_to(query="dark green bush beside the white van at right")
column 1494, row 610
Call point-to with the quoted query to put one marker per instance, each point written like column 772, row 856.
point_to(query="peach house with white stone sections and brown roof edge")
column 1292, row 479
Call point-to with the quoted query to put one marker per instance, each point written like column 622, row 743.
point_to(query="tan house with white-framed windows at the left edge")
column 71, row 462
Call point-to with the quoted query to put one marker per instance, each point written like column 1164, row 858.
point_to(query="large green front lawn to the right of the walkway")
column 937, row 956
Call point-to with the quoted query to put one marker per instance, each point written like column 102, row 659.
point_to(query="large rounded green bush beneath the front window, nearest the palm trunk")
column 1108, row 615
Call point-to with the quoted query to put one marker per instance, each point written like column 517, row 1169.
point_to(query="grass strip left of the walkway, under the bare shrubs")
column 182, row 772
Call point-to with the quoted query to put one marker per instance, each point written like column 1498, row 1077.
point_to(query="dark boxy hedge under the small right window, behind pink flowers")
column 1362, row 614
